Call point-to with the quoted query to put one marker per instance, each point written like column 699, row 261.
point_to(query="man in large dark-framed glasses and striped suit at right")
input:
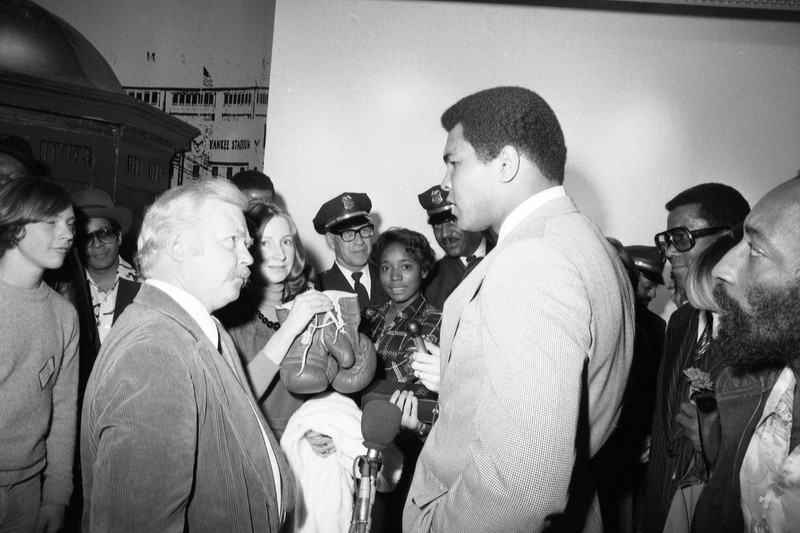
column 696, row 218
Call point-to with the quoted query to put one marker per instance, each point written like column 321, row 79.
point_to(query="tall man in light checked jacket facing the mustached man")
column 536, row 342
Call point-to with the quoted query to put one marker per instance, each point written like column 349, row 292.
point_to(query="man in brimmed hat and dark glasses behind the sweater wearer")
column 112, row 281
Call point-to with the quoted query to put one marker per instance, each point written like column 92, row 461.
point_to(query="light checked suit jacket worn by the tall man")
column 536, row 347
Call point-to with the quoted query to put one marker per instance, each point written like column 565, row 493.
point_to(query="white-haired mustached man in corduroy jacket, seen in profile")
column 172, row 438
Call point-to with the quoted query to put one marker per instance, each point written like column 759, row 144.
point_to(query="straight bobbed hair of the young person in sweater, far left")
column 24, row 201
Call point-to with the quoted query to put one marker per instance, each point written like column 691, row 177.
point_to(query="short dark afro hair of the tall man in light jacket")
column 515, row 116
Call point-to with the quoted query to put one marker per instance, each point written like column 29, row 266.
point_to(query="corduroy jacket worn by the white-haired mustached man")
column 169, row 437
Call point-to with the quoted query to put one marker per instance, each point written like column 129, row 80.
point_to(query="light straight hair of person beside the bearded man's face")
column 699, row 280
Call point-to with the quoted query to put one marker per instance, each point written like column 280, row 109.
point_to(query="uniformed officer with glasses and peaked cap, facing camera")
column 348, row 230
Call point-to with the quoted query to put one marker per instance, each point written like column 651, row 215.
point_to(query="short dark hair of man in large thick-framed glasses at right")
column 717, row 204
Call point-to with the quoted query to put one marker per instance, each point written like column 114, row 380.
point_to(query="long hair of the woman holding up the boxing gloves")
column 258, row 216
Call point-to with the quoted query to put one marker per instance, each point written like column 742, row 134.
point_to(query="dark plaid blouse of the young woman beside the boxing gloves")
column 392, row 343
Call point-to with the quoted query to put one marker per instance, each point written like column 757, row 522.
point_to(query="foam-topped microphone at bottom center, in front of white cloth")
column 380, row 422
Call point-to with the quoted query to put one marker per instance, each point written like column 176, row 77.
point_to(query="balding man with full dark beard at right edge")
column 756, row 480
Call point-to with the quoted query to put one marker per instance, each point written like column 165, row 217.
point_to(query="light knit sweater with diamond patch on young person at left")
column 38, row 388
